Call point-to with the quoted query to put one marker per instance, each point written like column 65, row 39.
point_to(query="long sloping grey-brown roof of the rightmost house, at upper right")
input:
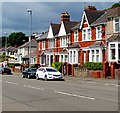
column 109, row 13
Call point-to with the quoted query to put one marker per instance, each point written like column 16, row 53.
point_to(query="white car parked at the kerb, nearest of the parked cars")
column 47, row 73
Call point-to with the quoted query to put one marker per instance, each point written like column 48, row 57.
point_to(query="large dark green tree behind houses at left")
column 17, row 39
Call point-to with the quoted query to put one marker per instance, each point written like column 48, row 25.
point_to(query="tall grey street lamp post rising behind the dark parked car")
column 30, row 12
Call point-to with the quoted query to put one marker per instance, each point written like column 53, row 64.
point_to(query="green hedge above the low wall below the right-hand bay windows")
column 94, row 65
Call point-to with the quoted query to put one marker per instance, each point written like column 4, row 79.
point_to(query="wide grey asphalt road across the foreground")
column 22, row 94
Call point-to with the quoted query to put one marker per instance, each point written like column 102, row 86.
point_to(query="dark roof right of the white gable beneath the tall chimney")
column 68, row 25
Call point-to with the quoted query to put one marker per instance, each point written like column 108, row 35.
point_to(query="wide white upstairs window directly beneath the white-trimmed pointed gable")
column 85, row 33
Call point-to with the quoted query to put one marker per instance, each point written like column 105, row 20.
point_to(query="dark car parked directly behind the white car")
column 29, row 72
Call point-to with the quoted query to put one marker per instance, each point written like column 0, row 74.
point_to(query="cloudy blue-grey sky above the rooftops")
column 15, row 17
